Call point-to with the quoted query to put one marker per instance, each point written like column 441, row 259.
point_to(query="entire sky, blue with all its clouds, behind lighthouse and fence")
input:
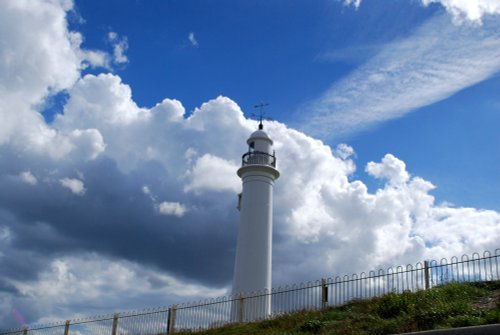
column 124, row 123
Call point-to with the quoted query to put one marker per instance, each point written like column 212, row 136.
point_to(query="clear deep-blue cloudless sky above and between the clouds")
column 288, row 54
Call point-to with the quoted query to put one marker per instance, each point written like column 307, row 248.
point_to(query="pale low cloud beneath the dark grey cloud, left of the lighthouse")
column 104, row 281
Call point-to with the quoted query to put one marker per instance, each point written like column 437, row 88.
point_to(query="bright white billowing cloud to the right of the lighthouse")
column 325, row 216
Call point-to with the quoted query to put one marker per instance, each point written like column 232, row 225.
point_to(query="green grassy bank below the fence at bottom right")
column 447, row 306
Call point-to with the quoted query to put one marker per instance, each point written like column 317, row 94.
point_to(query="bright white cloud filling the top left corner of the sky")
column 39, row 57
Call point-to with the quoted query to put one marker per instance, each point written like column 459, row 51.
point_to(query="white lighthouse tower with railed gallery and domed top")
column 252, row 271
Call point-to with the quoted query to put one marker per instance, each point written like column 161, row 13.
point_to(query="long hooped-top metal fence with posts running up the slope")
column 216, row 312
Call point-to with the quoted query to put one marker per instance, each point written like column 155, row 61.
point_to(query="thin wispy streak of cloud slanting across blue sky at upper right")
column 437, row 61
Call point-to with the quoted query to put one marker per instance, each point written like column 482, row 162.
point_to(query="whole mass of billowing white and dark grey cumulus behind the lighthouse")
column 139, row 162
